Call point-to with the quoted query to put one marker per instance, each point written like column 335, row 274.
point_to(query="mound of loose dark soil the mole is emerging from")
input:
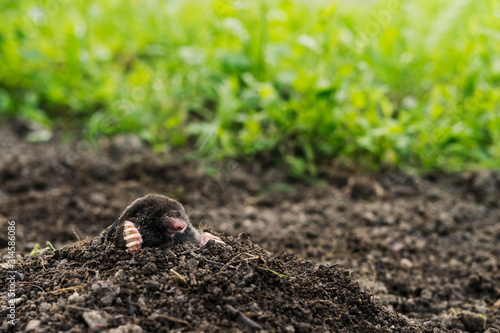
column 237, row 286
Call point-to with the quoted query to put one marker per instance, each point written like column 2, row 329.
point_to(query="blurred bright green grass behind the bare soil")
column 413, row 84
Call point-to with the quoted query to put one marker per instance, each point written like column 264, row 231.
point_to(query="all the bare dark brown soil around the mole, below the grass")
column 386, row 252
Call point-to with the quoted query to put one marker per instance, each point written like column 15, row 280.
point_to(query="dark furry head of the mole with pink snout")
column 157, row 213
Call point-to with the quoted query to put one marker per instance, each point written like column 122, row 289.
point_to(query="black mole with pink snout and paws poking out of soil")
column 152, row 221
